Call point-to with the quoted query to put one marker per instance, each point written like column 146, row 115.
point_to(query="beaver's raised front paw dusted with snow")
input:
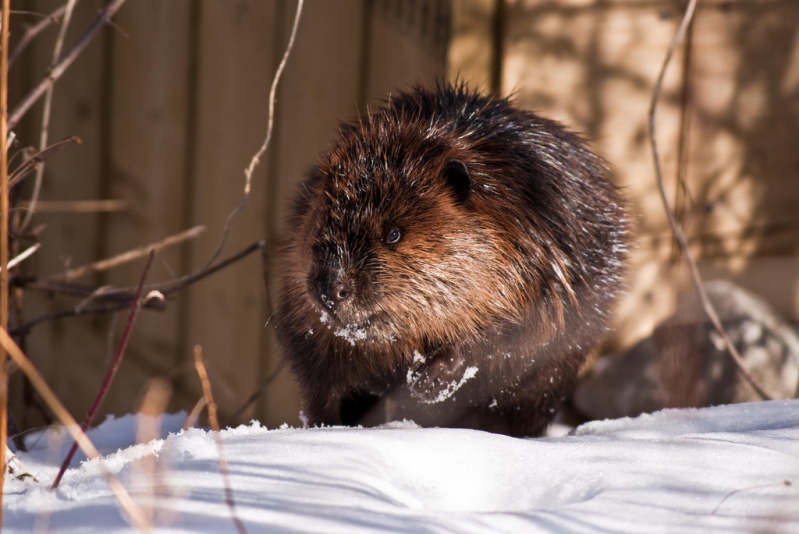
column 436, row 379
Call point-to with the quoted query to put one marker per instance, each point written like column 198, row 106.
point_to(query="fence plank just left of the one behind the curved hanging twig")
column 150, row 97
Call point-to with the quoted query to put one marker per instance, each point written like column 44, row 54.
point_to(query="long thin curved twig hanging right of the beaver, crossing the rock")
column 675, row 225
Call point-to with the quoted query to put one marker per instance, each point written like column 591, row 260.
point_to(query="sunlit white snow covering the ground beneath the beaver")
column 723, row 469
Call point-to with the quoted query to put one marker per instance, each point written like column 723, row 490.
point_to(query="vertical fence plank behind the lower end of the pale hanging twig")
column 226, row 312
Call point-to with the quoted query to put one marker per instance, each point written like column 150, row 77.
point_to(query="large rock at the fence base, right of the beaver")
column 684, row 363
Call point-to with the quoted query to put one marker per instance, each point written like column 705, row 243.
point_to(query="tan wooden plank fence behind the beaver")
column 171, row 104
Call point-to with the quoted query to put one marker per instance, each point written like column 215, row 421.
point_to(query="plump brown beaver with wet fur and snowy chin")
column 452, row 259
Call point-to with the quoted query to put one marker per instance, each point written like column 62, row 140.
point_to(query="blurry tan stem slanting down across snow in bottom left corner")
column 71, row 426
